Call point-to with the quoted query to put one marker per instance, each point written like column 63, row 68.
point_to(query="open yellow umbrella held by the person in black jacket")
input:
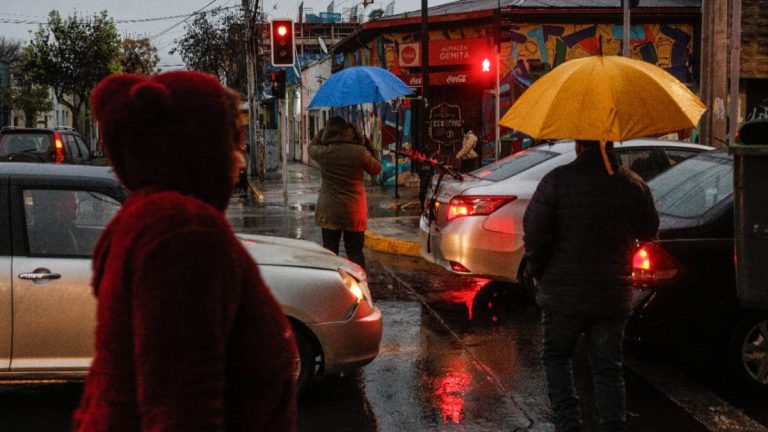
column 604, row 98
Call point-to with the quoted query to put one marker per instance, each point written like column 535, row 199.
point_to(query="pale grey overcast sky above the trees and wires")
column 164, row 31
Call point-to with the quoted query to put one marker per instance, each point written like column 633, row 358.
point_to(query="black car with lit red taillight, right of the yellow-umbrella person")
column 686, row 299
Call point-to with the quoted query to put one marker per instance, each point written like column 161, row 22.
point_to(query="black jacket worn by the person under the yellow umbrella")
column 580, row 228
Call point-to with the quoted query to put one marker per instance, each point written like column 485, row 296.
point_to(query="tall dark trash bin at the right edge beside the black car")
column 751, row 213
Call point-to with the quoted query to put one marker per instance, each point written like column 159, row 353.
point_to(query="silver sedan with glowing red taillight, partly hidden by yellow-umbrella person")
column 474, row 226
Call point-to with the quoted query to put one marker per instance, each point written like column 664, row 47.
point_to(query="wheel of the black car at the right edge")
column 749, row 351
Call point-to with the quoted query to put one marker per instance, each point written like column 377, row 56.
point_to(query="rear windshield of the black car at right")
column 693, row 187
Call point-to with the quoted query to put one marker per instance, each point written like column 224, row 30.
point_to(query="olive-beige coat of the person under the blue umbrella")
column 343, row 160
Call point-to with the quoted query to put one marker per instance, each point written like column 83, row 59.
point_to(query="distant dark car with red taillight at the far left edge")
column 52, row 145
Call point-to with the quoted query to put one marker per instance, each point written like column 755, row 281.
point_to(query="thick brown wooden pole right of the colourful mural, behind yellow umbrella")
column 714, row 79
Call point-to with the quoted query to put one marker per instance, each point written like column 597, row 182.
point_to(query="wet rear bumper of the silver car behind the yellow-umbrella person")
column 484, row 253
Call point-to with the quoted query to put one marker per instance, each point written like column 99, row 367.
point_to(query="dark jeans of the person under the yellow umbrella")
column 561, row 334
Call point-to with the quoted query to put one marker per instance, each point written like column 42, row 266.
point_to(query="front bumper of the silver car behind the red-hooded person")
column 352, row 343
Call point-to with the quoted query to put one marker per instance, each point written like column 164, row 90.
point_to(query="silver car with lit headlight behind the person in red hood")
column 50, row 218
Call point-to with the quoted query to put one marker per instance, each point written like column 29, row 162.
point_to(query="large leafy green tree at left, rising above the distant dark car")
column 71, row 55
